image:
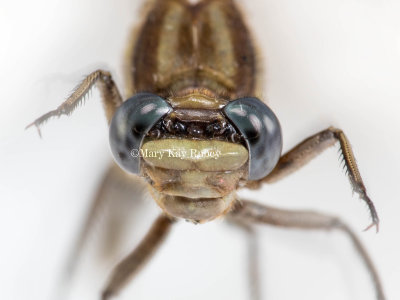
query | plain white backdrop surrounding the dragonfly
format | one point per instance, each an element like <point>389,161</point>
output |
<point>327,62</point>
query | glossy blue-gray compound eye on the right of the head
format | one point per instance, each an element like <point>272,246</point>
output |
<point>262,132</point>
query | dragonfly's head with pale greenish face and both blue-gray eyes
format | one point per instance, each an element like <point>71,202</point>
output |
<point>195,150</point>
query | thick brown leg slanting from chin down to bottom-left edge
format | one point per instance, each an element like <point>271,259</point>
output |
<point>129,266</point>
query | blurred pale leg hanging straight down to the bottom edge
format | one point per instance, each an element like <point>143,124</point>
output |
<point>253,256</point>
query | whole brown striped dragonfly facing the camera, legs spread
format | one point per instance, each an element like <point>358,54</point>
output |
<point>192,129</point>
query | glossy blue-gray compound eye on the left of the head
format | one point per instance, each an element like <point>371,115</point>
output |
<point>130,124</point>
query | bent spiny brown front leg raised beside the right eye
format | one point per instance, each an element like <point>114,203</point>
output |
<point>309,149</point>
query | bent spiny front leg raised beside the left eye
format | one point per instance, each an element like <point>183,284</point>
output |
<point>109,91</point>
